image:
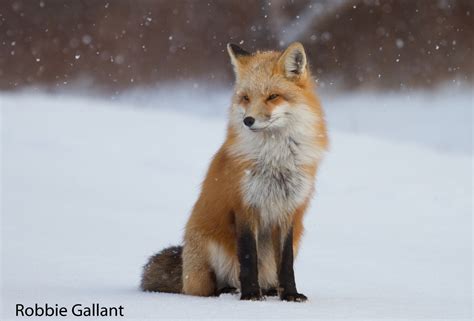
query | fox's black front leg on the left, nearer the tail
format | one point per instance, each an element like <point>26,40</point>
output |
<point>247,252</point>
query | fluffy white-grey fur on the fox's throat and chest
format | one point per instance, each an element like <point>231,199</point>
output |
<point>276,183</point>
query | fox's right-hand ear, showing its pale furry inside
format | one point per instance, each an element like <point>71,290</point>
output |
<point>293,61</point>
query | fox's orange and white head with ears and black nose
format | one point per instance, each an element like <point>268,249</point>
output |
<point>273,91</point>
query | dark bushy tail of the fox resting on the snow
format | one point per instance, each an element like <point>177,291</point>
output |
<point>163,272</point>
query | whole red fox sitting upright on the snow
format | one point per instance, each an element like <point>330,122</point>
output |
<point>245,228</point>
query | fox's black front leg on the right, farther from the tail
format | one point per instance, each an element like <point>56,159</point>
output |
<point>286,275</point>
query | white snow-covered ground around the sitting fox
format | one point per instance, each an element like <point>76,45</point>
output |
<point>91,188</point>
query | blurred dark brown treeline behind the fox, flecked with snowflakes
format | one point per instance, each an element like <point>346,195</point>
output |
<point>118,44</point>
